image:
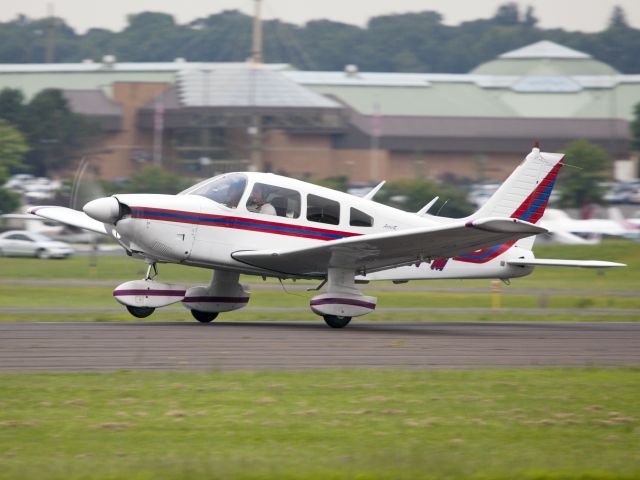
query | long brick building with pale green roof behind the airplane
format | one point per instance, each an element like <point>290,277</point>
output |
<point>206,118</point>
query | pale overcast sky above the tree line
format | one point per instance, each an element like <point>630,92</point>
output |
<point>82,14</point>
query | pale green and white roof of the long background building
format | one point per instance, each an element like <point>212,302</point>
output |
<point>567,84</point>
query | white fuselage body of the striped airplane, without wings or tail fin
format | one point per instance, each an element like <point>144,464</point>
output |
<point>193,230</point>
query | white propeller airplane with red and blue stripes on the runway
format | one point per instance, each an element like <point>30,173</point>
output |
<point>272,226</point>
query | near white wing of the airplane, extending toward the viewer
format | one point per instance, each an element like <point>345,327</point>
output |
<point>368,253</point>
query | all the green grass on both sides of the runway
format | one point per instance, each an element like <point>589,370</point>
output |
<point>331,424</point>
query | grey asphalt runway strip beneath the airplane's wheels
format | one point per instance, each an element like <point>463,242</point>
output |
<point>299,346</point>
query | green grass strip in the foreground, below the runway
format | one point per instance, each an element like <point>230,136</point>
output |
<point>545,423</point>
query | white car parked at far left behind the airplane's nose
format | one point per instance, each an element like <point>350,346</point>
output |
<point>30,244</point>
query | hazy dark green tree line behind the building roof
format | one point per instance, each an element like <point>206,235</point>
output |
<point>411,42</point>
